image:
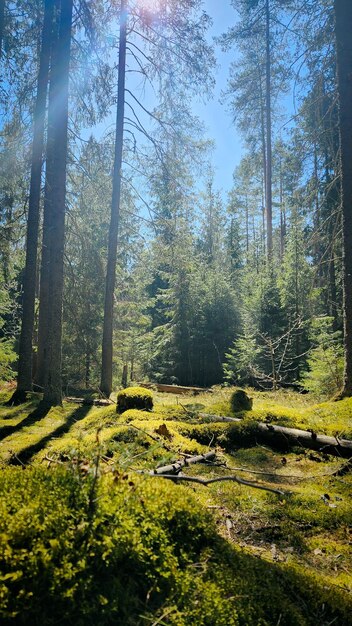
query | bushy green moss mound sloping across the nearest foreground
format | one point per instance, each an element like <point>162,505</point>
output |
<point>127,550</point>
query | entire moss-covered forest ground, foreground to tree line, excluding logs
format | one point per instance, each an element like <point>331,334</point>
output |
<point>242,555</point>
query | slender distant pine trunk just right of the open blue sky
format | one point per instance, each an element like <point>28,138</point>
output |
<point>268,182</point>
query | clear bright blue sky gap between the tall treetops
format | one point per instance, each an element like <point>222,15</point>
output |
<point>228,149</point>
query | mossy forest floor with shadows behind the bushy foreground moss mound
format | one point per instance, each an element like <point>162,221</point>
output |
<point>307,529</point>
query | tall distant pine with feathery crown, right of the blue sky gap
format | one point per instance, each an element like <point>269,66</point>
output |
<point>255,80</point>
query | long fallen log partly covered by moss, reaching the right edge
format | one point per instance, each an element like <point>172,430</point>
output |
<point>281,436</point>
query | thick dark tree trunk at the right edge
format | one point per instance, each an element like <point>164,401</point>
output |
<point>343,29</point>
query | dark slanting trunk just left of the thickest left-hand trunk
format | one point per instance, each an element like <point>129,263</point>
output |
<point>24,379</point>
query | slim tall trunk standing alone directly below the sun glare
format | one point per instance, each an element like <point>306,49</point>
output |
<point>106,370</point>
